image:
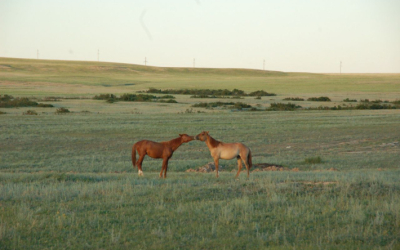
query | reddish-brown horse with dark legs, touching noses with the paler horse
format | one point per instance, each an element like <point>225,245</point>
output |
<point>157,150</point>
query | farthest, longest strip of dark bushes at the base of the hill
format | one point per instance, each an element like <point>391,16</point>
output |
<point>209,92</point>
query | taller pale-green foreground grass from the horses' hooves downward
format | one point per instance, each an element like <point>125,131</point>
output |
<point>196,211</point>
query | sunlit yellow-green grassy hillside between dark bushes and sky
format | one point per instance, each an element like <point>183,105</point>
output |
<point>66,78</point>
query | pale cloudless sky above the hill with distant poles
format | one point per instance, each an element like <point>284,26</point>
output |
<point>291,36</point>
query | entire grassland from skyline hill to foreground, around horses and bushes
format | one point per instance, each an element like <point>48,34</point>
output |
<point>67,181</point>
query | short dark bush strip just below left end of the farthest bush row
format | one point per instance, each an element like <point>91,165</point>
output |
<point>135,98</point>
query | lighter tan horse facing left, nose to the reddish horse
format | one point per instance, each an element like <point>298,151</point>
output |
<point>227,151</point>
